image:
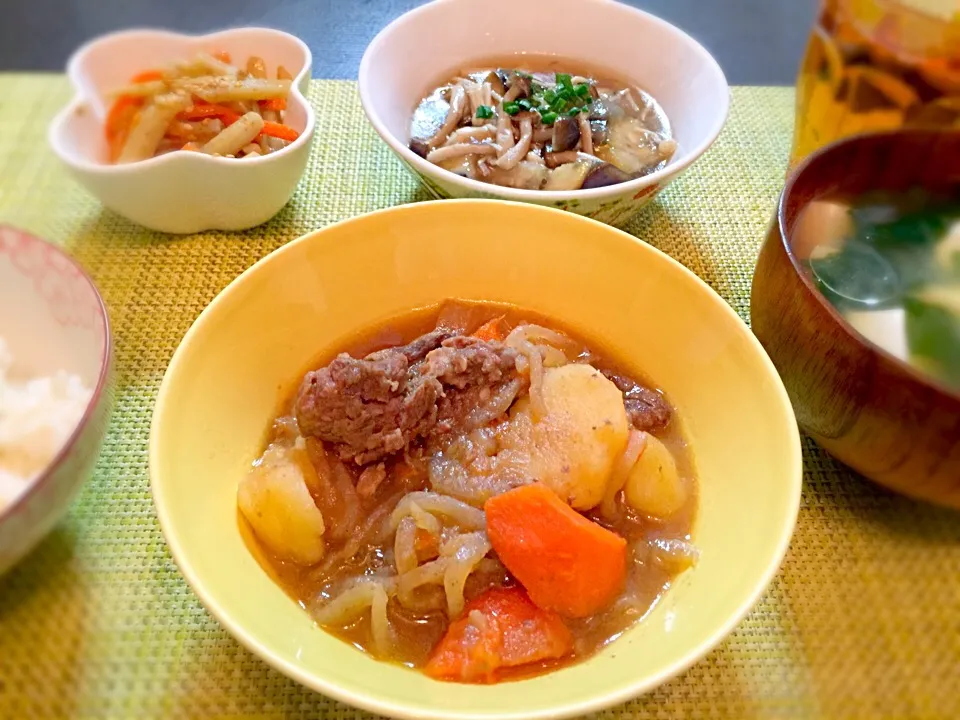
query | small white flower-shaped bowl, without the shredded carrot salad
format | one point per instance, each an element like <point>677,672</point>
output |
<point>181,192</point>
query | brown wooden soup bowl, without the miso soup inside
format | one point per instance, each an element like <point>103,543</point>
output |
<point>864,406</point>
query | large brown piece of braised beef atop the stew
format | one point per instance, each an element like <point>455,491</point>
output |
<point>370,408</point>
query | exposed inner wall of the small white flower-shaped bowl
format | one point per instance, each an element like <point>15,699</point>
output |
<point>108,63</point>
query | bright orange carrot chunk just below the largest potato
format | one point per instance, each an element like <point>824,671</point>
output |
<point>566,562</point>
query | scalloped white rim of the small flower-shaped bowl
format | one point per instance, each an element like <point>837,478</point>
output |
<point>75,62</point>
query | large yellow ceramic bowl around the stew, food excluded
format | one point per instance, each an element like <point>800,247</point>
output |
<point>245,352</point>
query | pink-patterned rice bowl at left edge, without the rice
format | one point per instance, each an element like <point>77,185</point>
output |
<point>60,322</point>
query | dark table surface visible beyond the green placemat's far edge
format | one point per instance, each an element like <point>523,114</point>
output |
<point>757,42</point>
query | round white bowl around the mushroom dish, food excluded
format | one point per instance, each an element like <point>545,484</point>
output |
<point>424,47</point>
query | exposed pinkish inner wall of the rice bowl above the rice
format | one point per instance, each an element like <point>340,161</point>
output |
<point>59,322</point>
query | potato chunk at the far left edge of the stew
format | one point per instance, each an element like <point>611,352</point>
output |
<point>275,500</point>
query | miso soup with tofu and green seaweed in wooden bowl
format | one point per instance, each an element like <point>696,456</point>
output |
<point>890,264</point>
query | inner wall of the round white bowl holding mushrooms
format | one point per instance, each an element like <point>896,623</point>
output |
<point>399,68</point>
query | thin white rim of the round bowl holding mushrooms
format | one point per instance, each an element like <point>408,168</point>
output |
<point>631,186</point>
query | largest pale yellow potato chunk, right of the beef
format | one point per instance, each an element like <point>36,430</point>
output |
<point>573,448</point>
